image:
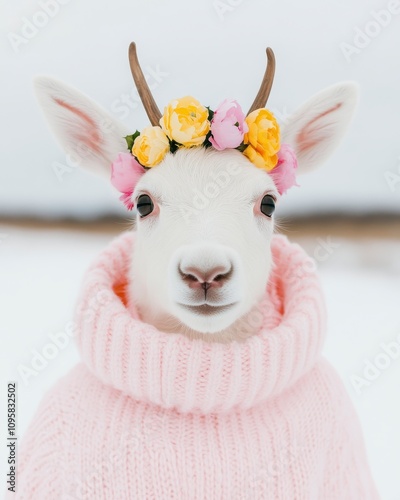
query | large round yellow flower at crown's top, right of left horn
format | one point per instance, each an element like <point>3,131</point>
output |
<point>185,121</point>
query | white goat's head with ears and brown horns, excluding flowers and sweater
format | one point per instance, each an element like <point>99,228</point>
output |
<point>202,256</point>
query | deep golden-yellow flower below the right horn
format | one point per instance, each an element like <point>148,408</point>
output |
<point>263,139</point>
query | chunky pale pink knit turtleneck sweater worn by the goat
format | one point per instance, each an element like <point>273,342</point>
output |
<point>151,415</point>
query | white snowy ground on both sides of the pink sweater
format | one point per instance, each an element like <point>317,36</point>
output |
<point>41,271</point>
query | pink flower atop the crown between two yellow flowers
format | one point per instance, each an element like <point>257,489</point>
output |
<point>228,126</point>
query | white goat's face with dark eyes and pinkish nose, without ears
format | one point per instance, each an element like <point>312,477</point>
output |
<point>202,249</point>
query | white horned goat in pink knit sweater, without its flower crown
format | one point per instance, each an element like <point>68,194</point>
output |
<point>199,405</point>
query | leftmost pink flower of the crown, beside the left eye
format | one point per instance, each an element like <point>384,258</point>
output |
<point>125,173</point>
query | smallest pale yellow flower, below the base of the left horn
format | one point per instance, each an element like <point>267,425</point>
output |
<point>150,146</point>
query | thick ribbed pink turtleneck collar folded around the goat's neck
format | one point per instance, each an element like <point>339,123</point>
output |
<point>172,371</point>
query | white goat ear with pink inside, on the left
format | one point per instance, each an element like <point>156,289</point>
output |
<point>84,129</point>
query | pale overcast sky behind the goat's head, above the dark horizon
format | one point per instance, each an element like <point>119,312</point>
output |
<point>211,52</point>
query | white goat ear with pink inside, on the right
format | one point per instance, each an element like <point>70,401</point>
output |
<point>317,127</point>
